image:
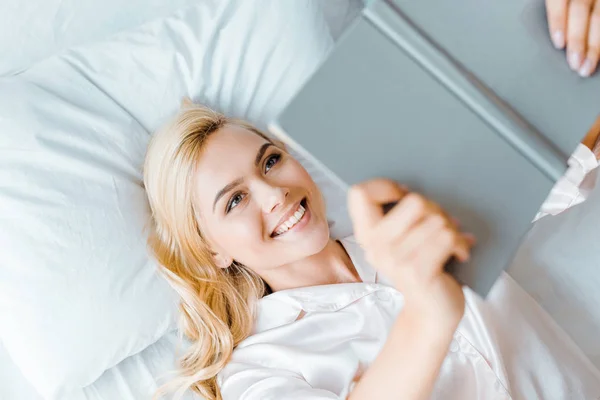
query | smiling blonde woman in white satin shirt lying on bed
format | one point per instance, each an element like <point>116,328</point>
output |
<point>276,309</point>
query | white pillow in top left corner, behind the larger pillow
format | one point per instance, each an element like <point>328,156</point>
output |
<point>33,30</point>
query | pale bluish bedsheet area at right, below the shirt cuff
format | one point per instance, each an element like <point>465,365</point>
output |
<point>558,264</point>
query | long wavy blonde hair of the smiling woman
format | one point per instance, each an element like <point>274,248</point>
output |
<point>217,305</point>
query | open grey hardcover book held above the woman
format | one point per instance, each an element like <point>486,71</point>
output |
<point>466,102</point>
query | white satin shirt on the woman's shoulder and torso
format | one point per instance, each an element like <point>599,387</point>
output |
<point>310,343</point>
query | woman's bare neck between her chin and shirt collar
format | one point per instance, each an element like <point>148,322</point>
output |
<point>331,265</point>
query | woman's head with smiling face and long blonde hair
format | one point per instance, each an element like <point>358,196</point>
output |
<point>251,199</point>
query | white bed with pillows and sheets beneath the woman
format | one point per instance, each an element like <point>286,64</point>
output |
<point>82,312</point>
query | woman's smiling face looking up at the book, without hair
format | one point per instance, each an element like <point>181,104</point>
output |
<point>257,204</point>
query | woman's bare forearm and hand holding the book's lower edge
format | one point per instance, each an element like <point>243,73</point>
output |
<point>410,245</point>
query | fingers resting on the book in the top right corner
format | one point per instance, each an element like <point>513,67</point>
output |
<point>575,24</point>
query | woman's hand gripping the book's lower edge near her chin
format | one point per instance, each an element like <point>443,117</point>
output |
<point>410,245</point>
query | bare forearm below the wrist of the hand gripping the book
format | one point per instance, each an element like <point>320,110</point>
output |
<point>410,360</point>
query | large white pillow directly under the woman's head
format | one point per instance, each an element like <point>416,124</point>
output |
<point>78,293</point>
